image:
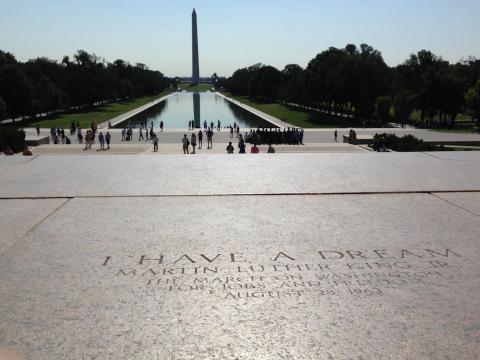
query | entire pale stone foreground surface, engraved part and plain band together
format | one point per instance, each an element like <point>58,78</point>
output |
<point>285,256</point>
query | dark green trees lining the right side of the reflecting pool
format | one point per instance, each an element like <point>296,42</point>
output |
<point>355,82</point>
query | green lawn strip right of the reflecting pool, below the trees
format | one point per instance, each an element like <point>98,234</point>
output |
<point>300,118</point>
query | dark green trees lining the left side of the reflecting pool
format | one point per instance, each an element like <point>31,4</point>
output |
<point>43,85</point>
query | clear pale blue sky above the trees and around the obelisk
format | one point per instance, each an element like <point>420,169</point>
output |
<point>235,34</point>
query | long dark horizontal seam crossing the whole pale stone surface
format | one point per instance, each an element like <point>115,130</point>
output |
<point>69,197</point>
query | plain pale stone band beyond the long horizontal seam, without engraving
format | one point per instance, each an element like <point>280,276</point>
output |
<point>142,175</point>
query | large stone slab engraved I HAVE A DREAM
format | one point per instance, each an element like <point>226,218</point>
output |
<point>385,276</point>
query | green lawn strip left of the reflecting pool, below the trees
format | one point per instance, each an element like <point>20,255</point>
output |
<point>98,114</point>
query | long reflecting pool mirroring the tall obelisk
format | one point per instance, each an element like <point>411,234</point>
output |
<point>180,108</point>
